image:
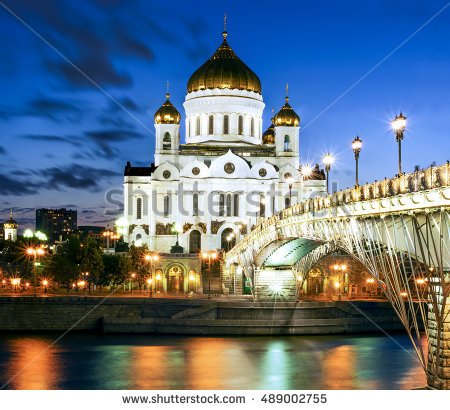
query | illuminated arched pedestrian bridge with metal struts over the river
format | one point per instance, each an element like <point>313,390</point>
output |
<point>398,228</point>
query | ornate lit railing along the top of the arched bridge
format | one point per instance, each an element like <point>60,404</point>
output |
<point>417,181</point>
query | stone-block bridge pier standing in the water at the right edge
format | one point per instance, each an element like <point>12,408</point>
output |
<point>438,367</point>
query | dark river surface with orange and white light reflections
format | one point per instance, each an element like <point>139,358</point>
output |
<point>80,361</point>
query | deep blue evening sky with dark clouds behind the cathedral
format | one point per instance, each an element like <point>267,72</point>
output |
<point>80,82</point>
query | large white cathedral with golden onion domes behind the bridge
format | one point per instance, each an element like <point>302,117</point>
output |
<point>228,175</point>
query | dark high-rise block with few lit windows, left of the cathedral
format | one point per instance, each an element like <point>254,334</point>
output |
<point>57,224</point>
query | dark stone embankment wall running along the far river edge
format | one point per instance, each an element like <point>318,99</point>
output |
<point>194,316</point>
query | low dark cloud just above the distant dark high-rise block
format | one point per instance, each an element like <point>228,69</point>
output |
<point>76,176</point>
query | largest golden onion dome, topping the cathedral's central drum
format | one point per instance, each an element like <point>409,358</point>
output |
<point>224,70</point>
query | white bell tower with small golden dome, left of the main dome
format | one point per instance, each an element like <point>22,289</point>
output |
<point>167,127</point>
